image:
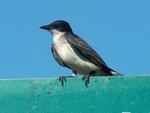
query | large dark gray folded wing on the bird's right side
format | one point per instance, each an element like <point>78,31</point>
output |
<point>85,50</point>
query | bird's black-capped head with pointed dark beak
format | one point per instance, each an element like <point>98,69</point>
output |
<point>58,26</point>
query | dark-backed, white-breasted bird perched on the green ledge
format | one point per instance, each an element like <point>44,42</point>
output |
<point>71,51</point>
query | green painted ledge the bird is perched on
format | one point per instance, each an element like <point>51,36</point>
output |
<point>105,95</point>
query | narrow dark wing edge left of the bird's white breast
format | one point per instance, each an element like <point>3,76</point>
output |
<point>56,56</point>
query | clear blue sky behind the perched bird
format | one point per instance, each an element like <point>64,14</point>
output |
<point>119,30</point>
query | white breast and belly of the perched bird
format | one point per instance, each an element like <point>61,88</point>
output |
<point>70,58</point>
